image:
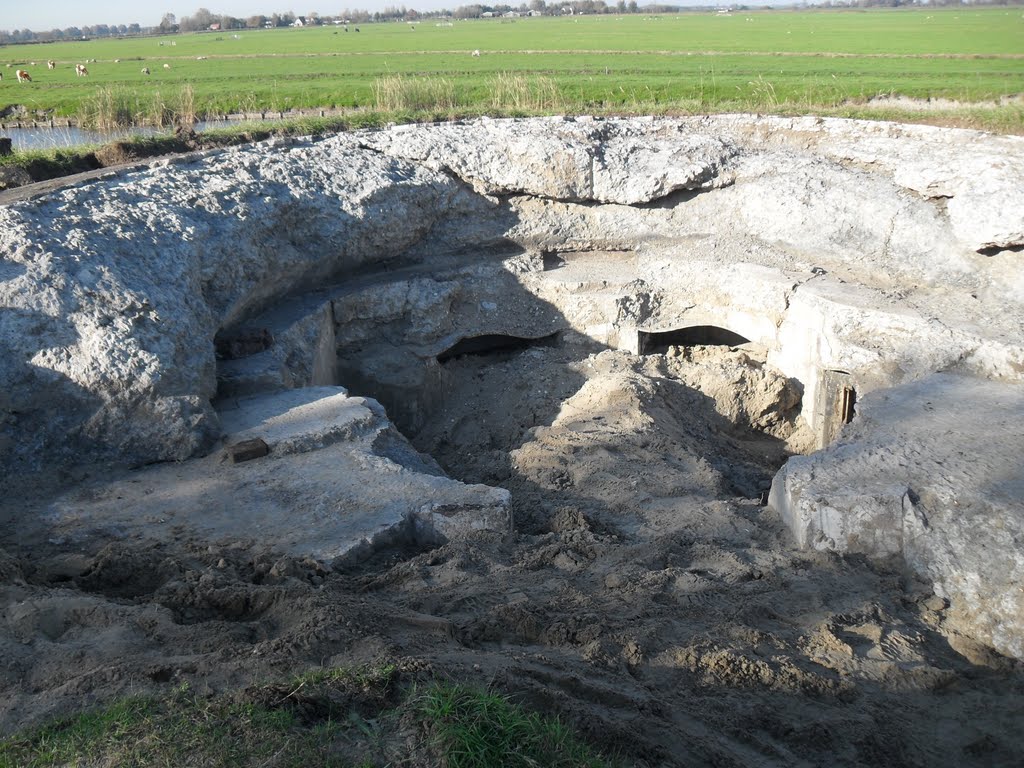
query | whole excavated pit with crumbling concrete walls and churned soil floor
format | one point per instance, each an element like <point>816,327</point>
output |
<point>520,393</point>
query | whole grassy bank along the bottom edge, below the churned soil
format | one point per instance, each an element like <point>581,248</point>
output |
<point>328,717</point>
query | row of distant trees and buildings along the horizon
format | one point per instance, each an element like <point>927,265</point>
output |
<point>204,19</point>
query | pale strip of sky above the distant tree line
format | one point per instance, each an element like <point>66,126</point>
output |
<point>48,15</point>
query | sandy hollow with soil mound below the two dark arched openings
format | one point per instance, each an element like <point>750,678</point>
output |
<point>499,408</point>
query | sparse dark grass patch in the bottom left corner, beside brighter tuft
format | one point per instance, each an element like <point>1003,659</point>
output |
<point>300,724</point>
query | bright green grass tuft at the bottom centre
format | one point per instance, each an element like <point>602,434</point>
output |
<point>474,729</point>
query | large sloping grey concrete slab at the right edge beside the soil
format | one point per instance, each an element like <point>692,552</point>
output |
<point>930,474</point>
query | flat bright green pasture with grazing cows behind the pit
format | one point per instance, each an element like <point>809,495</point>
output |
<point>765,61</point>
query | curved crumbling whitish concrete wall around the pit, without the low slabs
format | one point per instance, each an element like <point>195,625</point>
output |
<point>113,291</point>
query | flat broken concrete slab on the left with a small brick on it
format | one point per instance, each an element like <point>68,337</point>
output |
<point>337,484</point>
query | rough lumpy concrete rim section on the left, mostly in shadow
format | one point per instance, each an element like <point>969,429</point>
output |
<point>112,292</point>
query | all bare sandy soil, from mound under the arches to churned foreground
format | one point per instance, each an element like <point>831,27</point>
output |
<point>646,594</point>
